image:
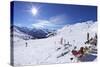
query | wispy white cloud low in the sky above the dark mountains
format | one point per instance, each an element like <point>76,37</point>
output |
<point>52,22</point>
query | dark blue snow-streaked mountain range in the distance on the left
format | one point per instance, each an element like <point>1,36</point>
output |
<point>30,33</point>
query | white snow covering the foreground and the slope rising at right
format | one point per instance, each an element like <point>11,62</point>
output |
<point>44,51</point>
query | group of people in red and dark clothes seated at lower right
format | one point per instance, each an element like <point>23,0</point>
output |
<point>85,50</point>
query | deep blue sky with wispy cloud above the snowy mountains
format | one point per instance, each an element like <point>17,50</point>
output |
<point>51,16</point>
